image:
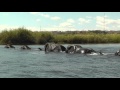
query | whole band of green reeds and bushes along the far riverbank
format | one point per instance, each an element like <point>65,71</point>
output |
<point>25,36</point>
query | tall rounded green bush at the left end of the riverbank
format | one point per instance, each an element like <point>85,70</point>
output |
<point>16,36</point>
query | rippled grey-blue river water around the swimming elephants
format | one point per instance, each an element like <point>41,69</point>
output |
<point>16,63</point>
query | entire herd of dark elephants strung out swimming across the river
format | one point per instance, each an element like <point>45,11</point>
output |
<point>70,49</point>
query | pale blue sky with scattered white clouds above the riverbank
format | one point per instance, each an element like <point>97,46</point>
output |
<point>60,21</point>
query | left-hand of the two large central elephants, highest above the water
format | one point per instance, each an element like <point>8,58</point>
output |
<point>52,47</point>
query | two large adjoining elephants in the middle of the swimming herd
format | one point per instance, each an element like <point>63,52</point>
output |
<point>52,47</point>
